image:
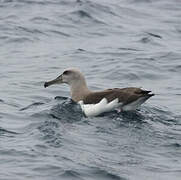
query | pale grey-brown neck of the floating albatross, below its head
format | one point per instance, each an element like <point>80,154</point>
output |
<point>79,90</point>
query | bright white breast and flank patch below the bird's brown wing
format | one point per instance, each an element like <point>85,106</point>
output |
<point>101,107</point>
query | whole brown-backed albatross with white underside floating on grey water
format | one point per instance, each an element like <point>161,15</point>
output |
<point>94,103</point>
